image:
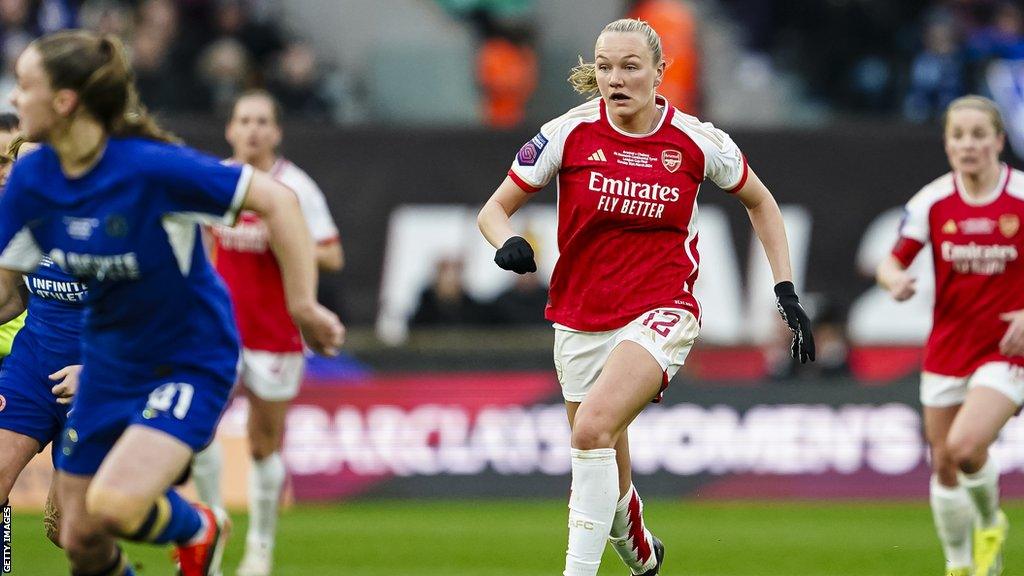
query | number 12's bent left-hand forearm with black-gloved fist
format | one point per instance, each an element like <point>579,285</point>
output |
<point>514,254</point>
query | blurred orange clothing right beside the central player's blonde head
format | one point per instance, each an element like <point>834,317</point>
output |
<point>674,22</point>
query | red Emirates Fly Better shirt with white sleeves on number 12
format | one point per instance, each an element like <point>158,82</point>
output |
<point>627,211</point>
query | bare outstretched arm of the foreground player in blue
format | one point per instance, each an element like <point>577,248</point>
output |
<point>293,246</point>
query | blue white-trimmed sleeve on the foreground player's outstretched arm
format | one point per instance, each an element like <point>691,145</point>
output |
<point>200,185</point>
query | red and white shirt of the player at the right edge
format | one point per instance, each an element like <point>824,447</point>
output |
<point>976,248</point>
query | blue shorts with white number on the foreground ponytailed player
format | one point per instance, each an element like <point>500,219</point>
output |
<point>186,403</point>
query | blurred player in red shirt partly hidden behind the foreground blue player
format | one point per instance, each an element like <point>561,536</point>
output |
<point>273,361</point>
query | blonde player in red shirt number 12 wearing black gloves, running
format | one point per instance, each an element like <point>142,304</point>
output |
<point>628,168</point>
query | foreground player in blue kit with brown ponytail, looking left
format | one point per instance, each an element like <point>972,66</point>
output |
<point>112,202</point>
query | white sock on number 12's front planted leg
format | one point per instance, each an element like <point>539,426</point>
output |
<point>592,508</point>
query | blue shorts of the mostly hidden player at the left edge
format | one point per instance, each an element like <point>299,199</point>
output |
<point>27,405</point>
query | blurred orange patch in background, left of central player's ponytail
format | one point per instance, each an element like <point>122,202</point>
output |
<point>507,73</point>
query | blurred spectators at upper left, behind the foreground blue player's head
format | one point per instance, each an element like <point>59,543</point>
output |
<point>189,55</point>
